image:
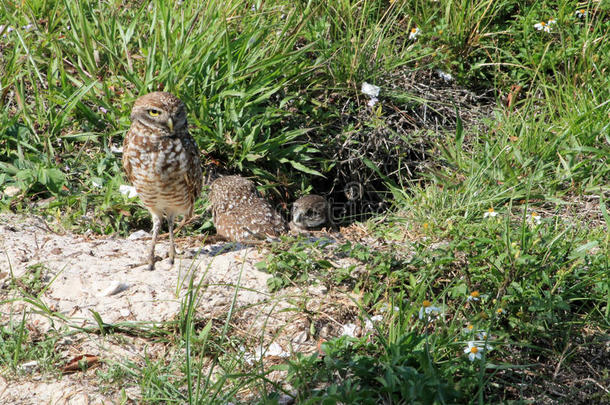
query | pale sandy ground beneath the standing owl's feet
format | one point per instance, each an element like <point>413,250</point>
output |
<point>87,275</point>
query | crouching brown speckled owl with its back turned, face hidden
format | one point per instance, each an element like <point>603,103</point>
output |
<point>240,213</point>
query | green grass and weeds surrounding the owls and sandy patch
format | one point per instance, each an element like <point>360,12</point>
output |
<point>273,91</point>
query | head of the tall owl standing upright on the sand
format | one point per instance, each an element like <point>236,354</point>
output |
<point>160,111</point>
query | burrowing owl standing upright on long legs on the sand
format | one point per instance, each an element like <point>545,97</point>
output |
<point>161,160</point>
